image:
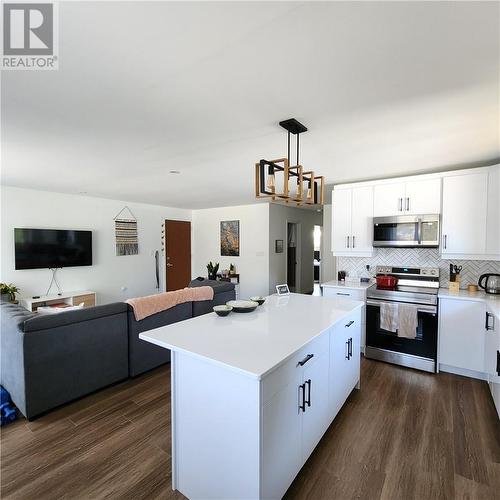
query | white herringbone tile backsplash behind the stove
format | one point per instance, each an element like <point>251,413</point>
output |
<point>417,257</point>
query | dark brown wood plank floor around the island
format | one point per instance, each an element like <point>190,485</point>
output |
<point>404,435</point>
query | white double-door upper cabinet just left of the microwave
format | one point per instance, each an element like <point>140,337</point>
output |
<point>352,221</point>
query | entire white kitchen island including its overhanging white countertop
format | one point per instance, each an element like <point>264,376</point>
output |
<point>252,394</point>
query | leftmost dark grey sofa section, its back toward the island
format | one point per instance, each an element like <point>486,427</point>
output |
<point>50,360</point>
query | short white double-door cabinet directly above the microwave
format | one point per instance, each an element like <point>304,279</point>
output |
<point>413,197</point>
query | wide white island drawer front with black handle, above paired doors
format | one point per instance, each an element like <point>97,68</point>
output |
<point>291,370</point>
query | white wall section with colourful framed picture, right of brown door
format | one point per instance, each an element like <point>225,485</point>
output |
<point>253,262</point>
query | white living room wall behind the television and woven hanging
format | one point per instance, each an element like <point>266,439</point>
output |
<point>41,209</point>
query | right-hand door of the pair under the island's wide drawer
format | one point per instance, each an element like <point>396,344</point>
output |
<point>316,417</point>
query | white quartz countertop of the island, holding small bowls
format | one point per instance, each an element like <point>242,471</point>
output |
<point>254,343</point>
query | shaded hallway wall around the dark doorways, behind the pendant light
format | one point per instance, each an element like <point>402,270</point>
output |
<point>279,215</point>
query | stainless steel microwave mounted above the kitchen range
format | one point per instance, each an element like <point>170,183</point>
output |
<point>406,231</point>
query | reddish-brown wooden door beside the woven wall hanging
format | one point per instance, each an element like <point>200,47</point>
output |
<point>178,254</point>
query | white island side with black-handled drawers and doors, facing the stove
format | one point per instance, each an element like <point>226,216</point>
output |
<point>298,402</point>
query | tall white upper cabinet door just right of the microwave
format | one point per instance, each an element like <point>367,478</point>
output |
<point>464,214</point>
